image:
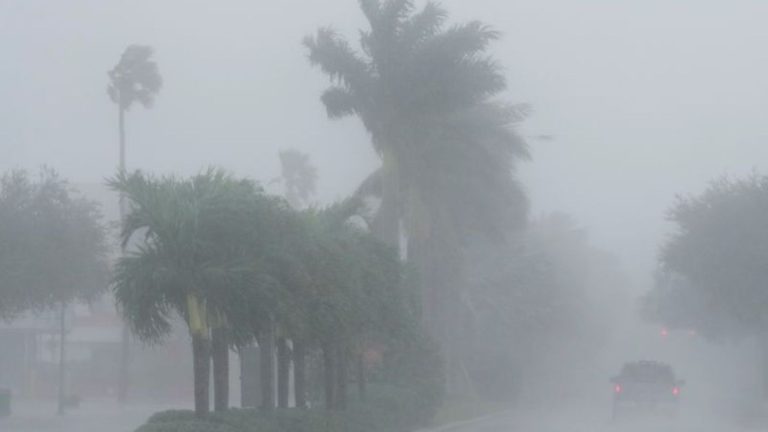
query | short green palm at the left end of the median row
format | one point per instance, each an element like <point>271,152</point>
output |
<point>197,259</point>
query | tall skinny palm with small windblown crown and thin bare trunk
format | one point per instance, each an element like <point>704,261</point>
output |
<point>134,79</point>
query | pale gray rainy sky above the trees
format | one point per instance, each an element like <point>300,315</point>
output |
<point>646,98</point>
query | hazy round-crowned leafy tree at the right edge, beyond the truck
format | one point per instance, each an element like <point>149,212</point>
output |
<point>713,273</point>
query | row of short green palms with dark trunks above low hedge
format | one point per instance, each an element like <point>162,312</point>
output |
<point>239,265</point>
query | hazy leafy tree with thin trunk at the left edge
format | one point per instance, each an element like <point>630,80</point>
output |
<point>54,250</point>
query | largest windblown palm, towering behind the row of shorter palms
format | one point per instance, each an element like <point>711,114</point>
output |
<point>425,93</point>
